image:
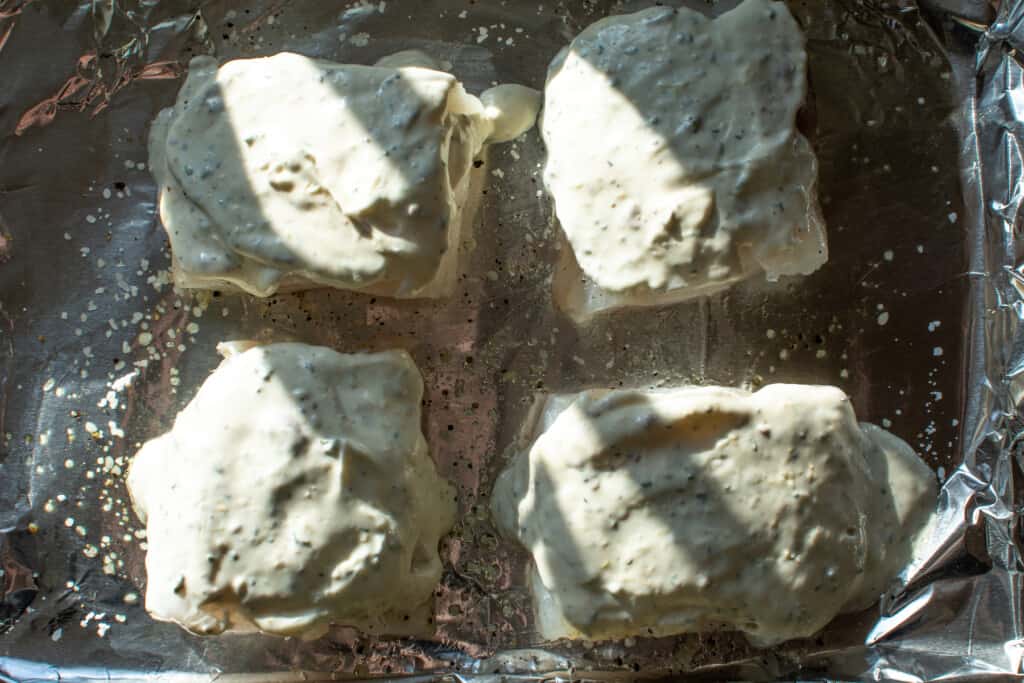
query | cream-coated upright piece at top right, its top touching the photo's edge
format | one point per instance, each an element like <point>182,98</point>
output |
<point>674,159</point>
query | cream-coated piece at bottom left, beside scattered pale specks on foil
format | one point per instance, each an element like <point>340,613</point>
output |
<point>294,491</point>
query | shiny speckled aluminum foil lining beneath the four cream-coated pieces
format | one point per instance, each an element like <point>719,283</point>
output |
<point>916,116</point>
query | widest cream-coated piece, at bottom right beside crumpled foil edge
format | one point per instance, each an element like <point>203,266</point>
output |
<point>694,509</point>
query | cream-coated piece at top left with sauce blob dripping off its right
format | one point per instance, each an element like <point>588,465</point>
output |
<point>292,173</point>
